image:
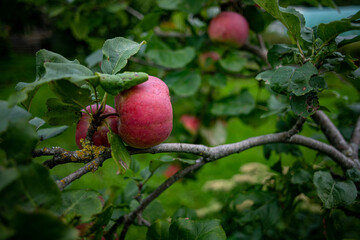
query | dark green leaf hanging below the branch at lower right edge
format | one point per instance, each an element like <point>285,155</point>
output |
<point>334,193</point>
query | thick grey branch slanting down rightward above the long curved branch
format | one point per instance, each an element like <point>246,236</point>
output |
<point>332,133</point>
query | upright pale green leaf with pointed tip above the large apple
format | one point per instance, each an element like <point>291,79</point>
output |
<point>116,52</point>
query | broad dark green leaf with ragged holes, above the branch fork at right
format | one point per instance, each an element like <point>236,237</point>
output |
<point>288,79</point>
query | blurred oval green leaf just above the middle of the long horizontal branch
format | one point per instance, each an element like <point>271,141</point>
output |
<point>242,103</point>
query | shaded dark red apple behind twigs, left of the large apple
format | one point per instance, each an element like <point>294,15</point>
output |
<point>100,136</point>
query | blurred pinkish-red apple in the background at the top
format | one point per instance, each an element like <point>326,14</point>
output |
<point>230,28</point>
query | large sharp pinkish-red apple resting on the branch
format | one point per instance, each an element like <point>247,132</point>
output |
<point>146,117</point>
